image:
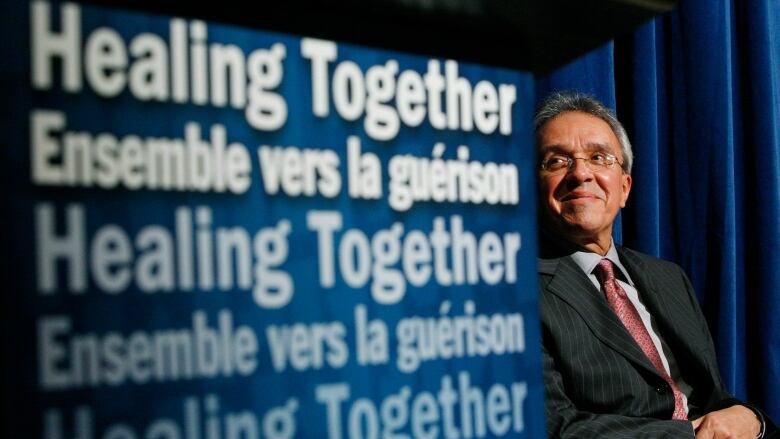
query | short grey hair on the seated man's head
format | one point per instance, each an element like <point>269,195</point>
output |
<point>561,102</point>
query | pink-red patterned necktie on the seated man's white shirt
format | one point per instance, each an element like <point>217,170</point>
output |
<point>625,310</point>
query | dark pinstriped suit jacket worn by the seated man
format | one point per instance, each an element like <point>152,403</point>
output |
<point>598,381</point>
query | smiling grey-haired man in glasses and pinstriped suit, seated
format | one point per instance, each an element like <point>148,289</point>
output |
<point>626,349</point>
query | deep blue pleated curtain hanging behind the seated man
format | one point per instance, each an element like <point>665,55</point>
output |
<point>699,92</point>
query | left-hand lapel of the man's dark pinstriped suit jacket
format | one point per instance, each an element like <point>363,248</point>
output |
<point>572,285</point>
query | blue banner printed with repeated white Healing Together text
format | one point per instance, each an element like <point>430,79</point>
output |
<point>223,233</point>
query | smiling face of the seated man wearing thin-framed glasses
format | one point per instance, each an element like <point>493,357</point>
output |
<point>581,203</point>
